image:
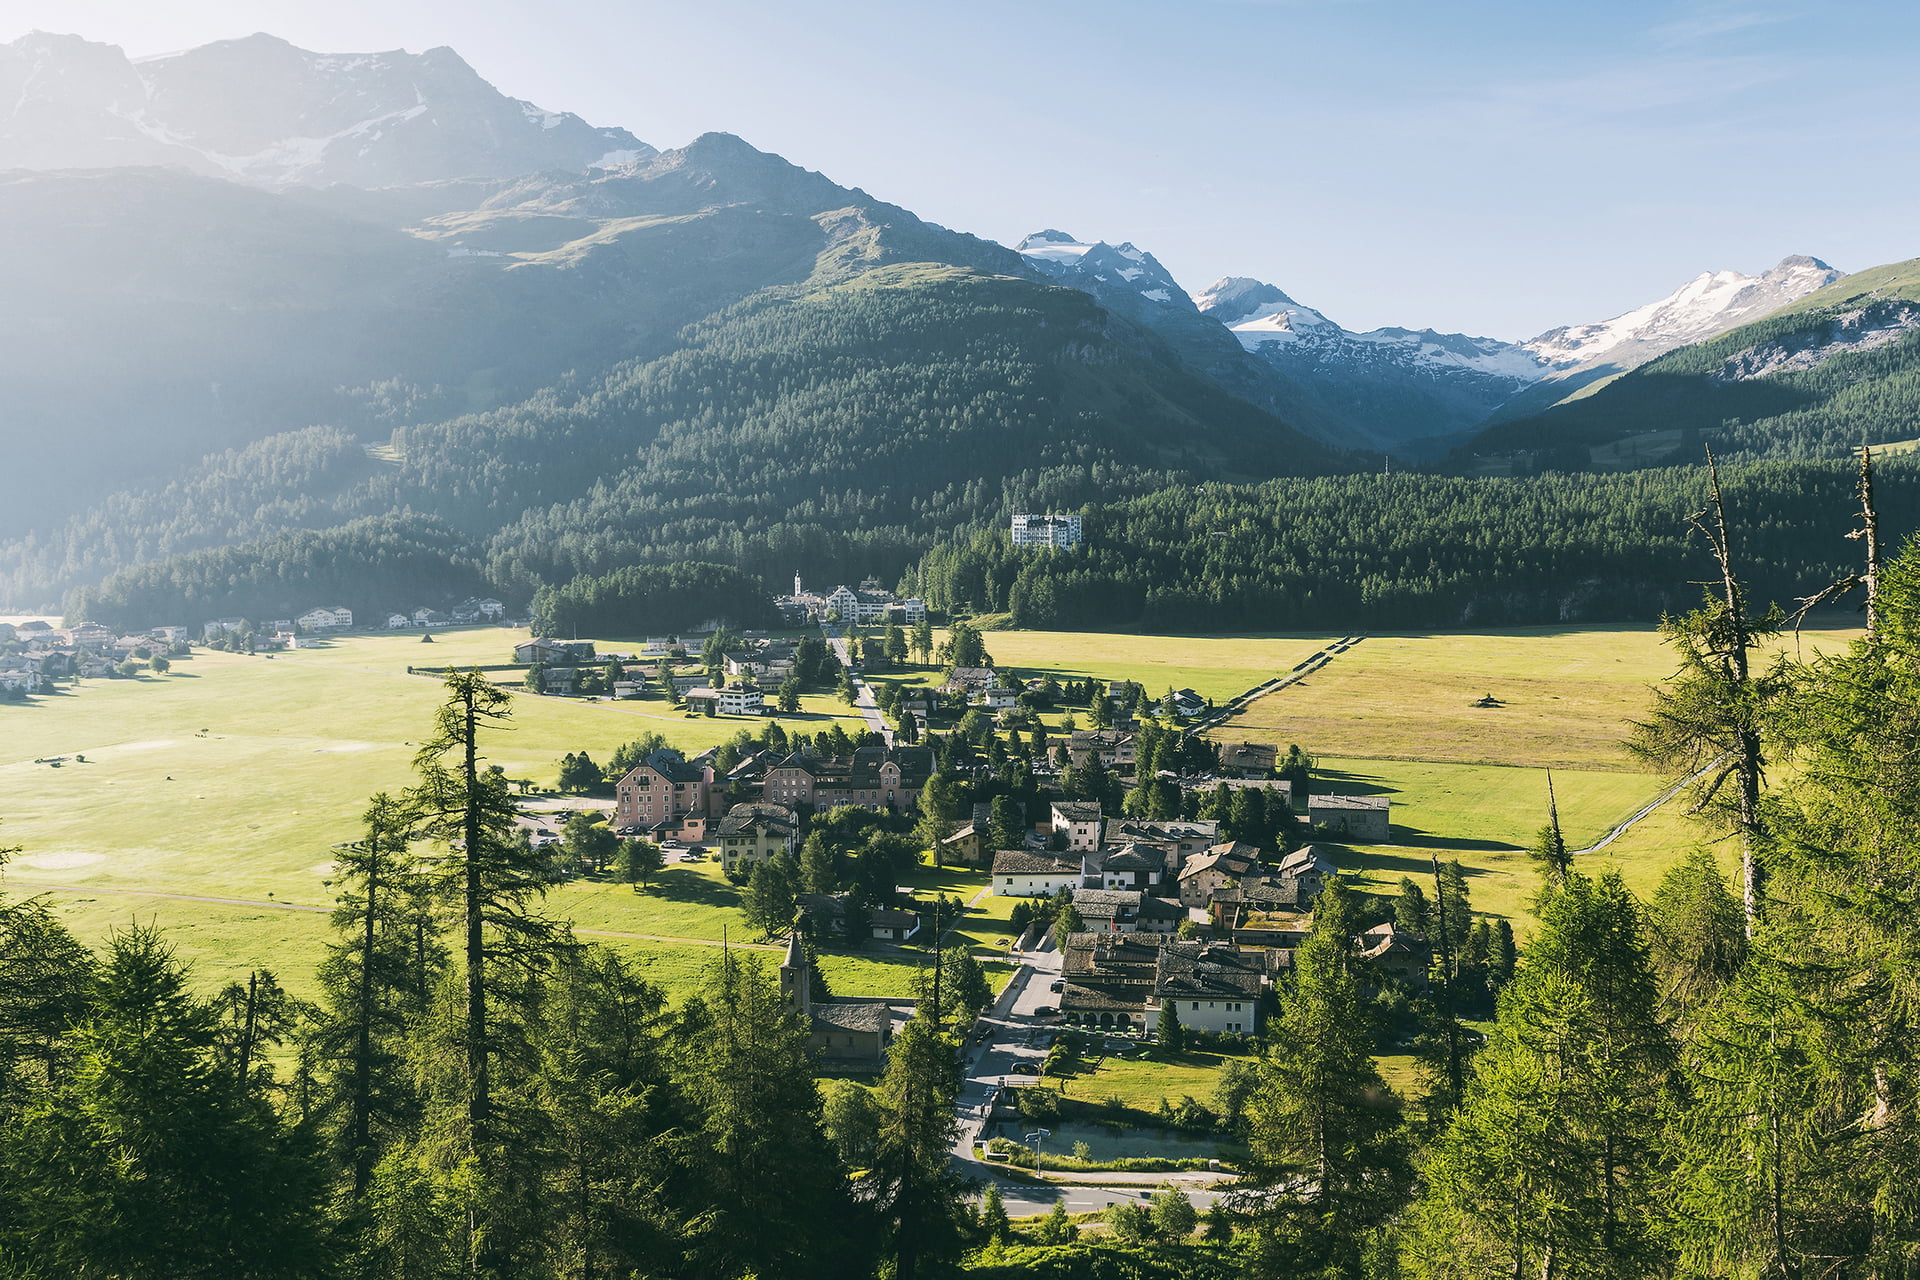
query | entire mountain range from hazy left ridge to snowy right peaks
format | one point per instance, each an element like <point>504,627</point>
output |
<point>279,293</point>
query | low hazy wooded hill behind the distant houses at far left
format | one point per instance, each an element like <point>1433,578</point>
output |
<point>370,567</point>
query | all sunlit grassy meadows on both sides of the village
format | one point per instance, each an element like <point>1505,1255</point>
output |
<point>235,776</point>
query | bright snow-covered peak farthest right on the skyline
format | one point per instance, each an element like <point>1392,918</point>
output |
<point>1706,306</point>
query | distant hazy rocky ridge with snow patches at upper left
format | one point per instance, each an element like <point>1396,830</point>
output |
<point>264,112</point>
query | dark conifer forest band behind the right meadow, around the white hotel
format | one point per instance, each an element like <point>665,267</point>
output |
<point>1416,550</point>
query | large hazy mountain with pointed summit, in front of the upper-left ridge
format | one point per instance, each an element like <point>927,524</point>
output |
<point>706,352</point>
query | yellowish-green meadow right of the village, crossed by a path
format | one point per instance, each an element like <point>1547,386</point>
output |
<point>1397,717</point>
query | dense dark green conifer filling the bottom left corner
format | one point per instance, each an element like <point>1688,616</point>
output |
<point>147,1160</point>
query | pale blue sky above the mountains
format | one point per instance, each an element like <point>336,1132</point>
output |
<point>1472,166</point>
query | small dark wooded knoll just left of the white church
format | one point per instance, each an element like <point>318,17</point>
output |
<point>654,598</point>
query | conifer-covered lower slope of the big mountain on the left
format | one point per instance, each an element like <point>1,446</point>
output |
<point>832,431</point>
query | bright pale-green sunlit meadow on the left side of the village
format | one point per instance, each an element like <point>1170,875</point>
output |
<point>235,776</point>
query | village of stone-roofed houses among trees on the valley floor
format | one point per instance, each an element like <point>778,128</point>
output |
<point>1182,886</point>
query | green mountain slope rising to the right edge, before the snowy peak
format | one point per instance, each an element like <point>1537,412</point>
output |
<point>1815,379</point>
